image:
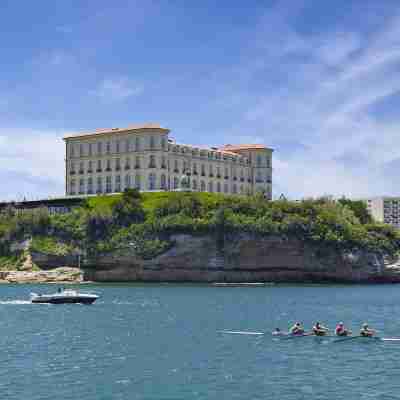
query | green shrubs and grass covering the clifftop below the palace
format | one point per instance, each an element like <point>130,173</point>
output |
<point>145,222</point>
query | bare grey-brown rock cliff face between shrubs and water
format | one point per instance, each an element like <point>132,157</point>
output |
<point>242,258</point>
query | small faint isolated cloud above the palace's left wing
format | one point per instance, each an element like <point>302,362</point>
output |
<point>117,89</point>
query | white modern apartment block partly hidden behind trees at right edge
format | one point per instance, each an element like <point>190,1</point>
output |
<point>385,209</point>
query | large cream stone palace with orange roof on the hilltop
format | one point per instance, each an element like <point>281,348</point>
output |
<point>146,158</point>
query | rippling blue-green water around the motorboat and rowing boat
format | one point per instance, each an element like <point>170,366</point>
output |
<point>163,342</point>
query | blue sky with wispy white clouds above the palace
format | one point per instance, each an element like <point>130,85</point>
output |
<point>317,81</point>
